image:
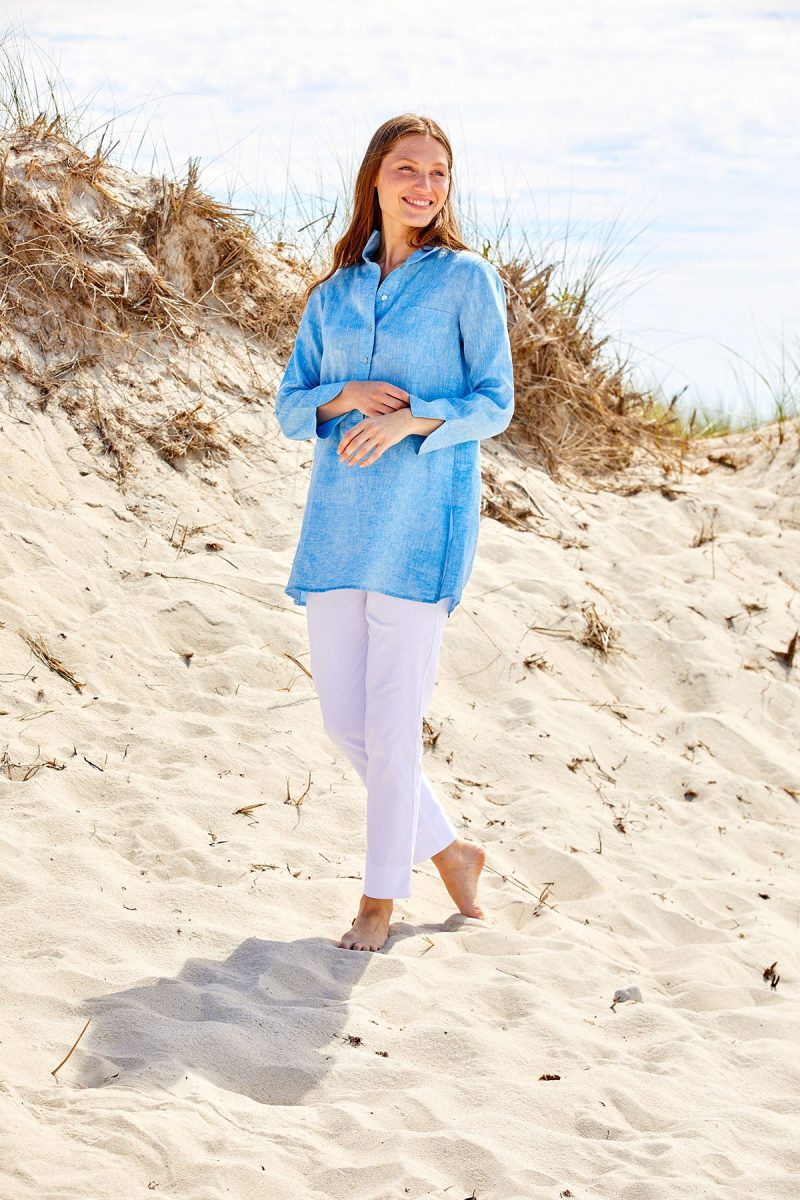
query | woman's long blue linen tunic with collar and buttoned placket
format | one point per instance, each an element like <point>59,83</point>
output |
<point>408,524</point>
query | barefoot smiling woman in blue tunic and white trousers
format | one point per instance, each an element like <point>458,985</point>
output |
<point>402,353</point>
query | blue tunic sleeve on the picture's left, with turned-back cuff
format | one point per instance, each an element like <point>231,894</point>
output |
<point>300,393</point>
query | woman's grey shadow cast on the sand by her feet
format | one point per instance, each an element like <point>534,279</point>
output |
<point>256,1024</point>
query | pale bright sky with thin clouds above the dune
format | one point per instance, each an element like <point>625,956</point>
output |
<point>660,142</point>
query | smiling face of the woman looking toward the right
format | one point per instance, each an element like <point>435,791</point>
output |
<point>416,170</point>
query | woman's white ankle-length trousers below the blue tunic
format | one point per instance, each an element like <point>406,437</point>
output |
<point>374,659</point>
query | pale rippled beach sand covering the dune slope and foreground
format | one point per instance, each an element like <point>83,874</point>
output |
<point>639,807</point>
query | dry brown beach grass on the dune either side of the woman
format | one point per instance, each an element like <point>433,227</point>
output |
<point>98,263</point>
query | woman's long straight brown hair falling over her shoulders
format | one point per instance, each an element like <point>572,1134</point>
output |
<point>443,231</point>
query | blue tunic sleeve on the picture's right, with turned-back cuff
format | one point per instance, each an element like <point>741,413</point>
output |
<point>489,407</point>
